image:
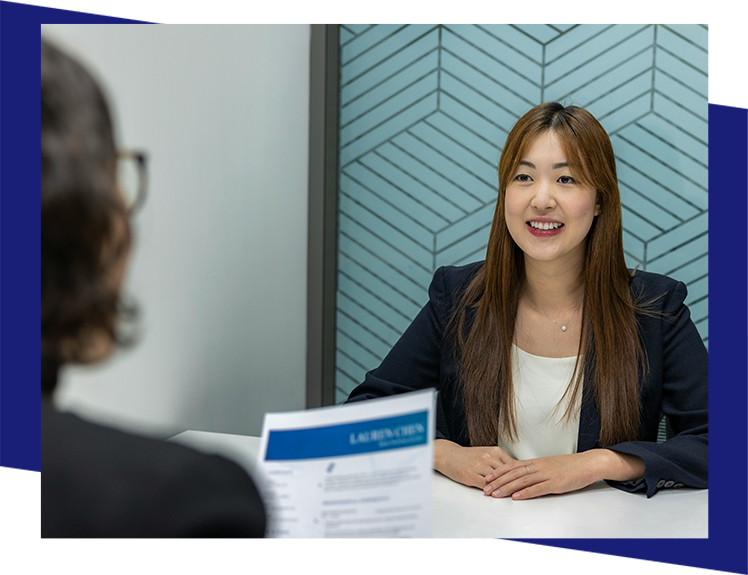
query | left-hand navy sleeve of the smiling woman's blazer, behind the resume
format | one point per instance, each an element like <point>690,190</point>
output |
<point>413,363</point>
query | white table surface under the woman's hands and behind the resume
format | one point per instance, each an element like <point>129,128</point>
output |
<point>464,515</point>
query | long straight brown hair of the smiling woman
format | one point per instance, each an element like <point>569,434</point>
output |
<point>611,356</point>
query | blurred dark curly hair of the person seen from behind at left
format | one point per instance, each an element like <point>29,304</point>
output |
<point>82,215</point>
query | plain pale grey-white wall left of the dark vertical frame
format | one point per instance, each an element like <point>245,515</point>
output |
<point>219,265</point>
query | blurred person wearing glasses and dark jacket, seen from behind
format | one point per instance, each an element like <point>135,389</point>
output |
<point>98,484</point>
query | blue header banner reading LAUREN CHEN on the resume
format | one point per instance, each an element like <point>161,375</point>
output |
<point>349,438</point>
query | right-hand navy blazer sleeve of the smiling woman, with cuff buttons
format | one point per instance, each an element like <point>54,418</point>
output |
<point>678,386</point>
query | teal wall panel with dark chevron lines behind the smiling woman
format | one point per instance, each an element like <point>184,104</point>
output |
<point>424,111</point>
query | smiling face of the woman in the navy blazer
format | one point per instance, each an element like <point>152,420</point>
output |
<point>547,211</point>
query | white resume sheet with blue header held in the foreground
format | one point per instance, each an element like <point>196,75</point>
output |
<point>356,471</point>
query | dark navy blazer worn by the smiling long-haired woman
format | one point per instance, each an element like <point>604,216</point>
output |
<point>675,385</point>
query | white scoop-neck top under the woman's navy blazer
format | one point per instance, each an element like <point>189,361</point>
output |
<point>539,385</point>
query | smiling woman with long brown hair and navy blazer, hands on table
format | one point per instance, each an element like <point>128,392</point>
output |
<point>553,361</point>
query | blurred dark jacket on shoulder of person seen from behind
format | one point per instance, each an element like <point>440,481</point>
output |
<point>99,483</point>
